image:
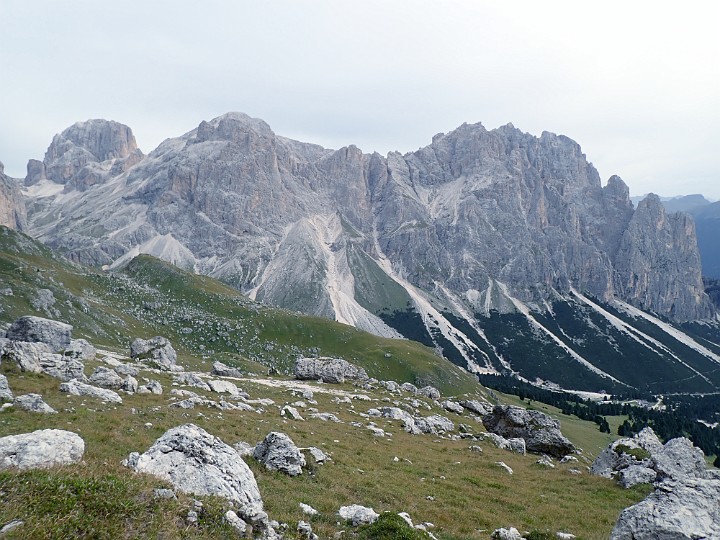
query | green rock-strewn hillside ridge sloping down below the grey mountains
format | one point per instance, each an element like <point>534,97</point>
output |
<point>201,316</point>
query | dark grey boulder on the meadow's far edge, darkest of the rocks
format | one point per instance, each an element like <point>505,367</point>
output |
<point>541,433</point>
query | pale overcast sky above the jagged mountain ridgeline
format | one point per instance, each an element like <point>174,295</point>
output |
<point>636,83</point>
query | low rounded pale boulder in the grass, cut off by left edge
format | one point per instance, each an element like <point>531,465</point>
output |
<point>40,449</point>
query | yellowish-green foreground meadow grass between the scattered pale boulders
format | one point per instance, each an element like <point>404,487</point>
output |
<point>472,495</point>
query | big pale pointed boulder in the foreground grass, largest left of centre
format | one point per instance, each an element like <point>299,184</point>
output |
<point>196,462</point>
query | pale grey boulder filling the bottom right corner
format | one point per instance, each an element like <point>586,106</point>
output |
<point>675,511</point>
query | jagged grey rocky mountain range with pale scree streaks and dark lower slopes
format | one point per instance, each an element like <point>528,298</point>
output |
<point>501,250</point>
